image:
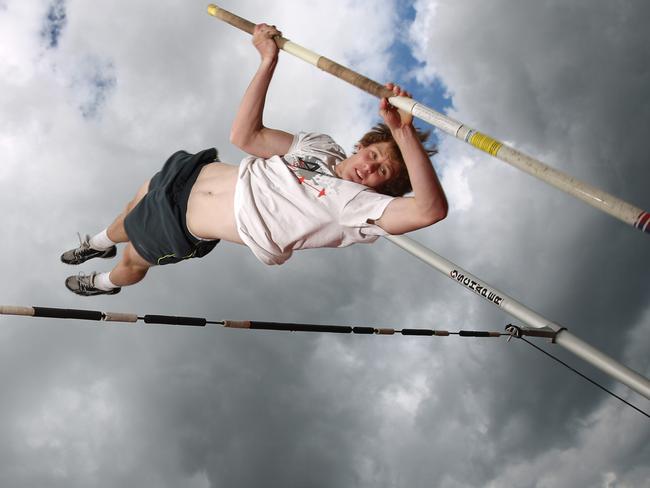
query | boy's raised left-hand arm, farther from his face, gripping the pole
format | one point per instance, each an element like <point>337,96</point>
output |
<point>248,132</point>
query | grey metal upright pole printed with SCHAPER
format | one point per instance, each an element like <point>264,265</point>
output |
<point>563,337</point>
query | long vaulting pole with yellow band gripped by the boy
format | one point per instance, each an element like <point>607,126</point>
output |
<point>599,199</point>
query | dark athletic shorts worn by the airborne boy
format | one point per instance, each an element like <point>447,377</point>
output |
<point>157,225</point>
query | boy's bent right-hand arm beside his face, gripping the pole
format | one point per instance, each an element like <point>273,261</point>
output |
<point>429,204</point>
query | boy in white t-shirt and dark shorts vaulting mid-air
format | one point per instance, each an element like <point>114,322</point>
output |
<point>293,192</point>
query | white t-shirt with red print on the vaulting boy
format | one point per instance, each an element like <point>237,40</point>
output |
<point>296,201</point>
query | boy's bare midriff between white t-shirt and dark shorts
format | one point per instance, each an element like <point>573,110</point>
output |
<point>210,208</point>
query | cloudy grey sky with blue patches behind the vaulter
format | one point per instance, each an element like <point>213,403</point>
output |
<point>95,97</point>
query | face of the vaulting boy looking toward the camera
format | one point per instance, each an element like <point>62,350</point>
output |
<point>370,166</point>
